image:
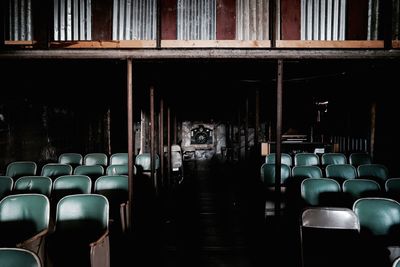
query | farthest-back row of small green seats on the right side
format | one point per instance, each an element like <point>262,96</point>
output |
<point>312,159</point>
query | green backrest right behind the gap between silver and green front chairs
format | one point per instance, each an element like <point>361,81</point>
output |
<point>359,188</point>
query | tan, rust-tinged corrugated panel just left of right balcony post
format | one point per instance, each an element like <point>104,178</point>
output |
<point>252,20</point>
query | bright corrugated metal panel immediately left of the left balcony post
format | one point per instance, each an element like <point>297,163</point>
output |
<point>134,19</point>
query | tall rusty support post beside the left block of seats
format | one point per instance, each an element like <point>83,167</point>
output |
<point>131,141</point>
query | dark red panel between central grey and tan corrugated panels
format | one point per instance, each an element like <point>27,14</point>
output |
<point>226,19</point>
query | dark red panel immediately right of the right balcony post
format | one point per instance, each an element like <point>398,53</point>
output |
<point>291,12</point>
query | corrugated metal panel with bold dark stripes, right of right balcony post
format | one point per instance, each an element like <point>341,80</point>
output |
<point>323,19</point>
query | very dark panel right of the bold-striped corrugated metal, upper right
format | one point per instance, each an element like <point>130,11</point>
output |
<point>357,20</point>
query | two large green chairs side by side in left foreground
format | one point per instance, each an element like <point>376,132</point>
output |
<point>80,235</point>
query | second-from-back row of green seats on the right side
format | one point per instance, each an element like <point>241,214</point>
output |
<point>340,172</point>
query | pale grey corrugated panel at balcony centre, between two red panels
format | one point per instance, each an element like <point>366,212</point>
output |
<point>196,19</point>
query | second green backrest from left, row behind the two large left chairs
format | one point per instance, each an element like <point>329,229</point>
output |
<point>33,184</point>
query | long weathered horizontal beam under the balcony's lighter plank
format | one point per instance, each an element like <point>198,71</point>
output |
<point>231,54</point>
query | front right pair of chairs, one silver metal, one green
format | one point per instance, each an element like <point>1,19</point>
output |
<point>364,235</point>
